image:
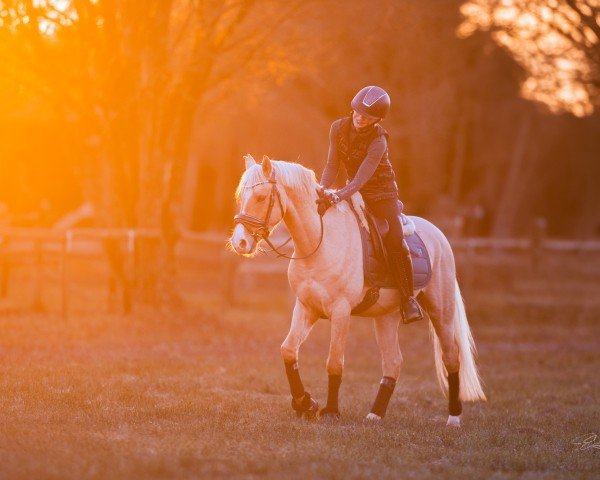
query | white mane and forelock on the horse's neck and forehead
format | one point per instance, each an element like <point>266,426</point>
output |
<point>288,174</point>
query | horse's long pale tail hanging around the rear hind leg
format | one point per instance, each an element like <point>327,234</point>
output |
<point>470,384</point>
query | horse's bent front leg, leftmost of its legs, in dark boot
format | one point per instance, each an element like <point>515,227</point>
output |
<point>303,320</point>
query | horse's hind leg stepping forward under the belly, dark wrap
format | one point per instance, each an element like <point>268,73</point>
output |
<point>386,333</point>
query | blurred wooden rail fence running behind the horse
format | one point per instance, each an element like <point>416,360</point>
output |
<point>33,242</point>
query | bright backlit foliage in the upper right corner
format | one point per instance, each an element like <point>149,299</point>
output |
<point>557,43</point>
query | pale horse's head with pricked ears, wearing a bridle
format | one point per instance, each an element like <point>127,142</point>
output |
<point>262,206</point>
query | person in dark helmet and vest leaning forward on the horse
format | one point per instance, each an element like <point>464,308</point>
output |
<point>361,145</point>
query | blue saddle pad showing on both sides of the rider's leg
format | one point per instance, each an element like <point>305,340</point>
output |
<point>376,271</point>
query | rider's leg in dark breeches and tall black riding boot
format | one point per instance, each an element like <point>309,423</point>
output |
<point>399,257</point>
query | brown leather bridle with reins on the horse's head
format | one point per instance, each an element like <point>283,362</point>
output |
<point>259,229</point>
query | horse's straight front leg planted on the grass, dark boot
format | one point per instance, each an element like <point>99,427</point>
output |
<point>340,324</point>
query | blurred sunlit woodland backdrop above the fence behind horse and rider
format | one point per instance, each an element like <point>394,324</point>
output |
<point>143,109</point>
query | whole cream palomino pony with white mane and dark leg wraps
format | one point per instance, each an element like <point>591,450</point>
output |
<point>326,275</point>
